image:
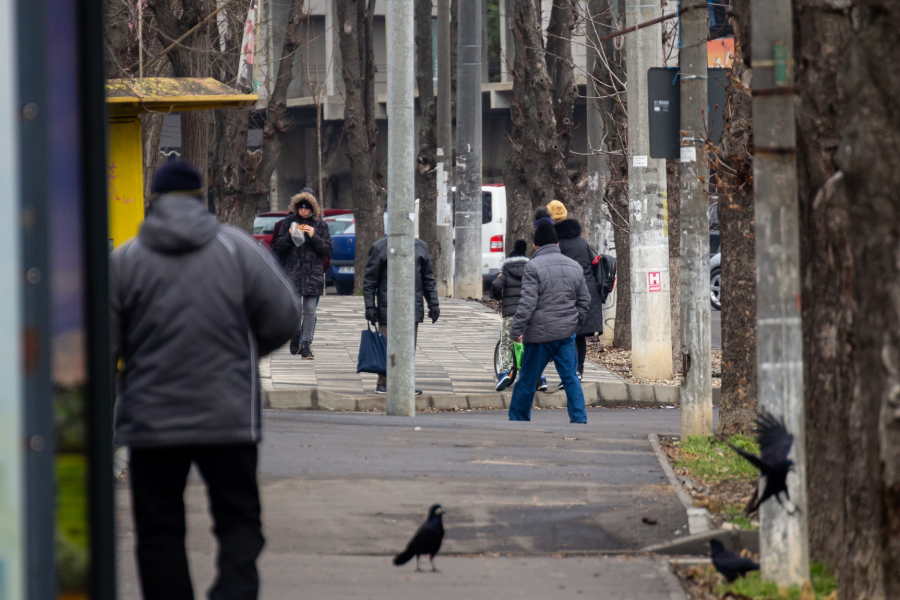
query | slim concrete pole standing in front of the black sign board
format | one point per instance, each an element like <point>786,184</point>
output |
<point>696,391</point>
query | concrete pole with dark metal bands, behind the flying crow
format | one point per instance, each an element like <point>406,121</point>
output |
<point>784,552</point>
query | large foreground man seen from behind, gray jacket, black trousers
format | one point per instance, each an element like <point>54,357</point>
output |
<point>194,304</point>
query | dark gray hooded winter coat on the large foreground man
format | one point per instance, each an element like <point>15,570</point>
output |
<point>194,304</point>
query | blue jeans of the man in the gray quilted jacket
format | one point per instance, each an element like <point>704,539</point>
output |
<point>534,361</point>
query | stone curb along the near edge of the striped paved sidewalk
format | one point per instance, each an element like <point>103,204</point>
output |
<point>596,395</point>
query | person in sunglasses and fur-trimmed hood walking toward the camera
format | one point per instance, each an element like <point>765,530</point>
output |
<point>303,241</point>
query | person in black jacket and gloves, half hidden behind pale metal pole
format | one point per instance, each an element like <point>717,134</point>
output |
<point>375,291</point>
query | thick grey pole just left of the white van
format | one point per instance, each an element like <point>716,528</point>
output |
<point>467,276</point>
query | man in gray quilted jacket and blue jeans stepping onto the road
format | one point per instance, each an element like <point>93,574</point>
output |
<point>554,304</point>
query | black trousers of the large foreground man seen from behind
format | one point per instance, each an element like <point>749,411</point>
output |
<point>158,478</point>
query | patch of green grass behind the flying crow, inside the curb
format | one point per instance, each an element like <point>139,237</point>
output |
<point>713,461</point>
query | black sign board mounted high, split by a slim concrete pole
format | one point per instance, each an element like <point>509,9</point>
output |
<point>665,109</point>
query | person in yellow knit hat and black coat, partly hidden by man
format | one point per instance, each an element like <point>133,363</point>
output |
<point>574,246</point>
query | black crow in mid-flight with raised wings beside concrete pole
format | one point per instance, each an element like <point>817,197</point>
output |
<point>773,463</point>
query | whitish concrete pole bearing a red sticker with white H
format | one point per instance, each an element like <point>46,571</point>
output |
<point>651,327</point>
